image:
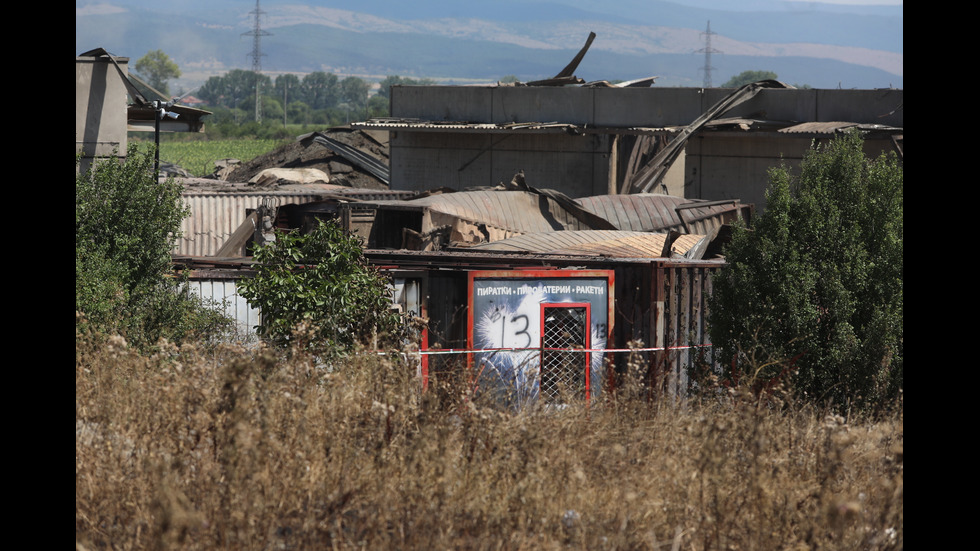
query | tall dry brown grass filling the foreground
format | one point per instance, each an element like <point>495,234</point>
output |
<point>233,449</point>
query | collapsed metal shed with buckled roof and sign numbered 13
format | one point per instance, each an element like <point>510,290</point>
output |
<point>526,294</point>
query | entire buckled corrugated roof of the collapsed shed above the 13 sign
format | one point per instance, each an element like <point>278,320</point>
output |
<point>532,220</point>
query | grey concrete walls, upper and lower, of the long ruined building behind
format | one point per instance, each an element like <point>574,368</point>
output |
<point>717,165</point>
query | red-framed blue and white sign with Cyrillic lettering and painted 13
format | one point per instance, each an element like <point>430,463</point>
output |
<point>540,334</point>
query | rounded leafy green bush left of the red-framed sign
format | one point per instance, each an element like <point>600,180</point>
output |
<point>320,280</point>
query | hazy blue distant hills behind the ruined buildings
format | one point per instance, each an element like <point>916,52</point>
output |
<point>456,41</point>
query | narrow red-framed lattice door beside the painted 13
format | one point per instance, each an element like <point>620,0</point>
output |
<point>564,373</point>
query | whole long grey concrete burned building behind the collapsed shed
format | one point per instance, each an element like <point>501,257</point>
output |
<point>585,140</point>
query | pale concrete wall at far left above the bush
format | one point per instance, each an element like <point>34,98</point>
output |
<point>100,109</point>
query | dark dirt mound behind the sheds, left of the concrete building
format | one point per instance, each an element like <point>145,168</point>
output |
<point>309,154</point>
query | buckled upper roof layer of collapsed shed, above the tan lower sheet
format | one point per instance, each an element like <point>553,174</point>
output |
<point>461,219</point>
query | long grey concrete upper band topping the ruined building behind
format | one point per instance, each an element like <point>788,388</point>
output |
<point>626,107</point>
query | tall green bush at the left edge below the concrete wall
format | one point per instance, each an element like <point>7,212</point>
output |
<point>126,224</point>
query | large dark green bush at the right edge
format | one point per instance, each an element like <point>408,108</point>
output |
<point>816,290</point>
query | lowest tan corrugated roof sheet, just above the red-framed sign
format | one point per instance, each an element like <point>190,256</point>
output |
<point>610,243</point>
